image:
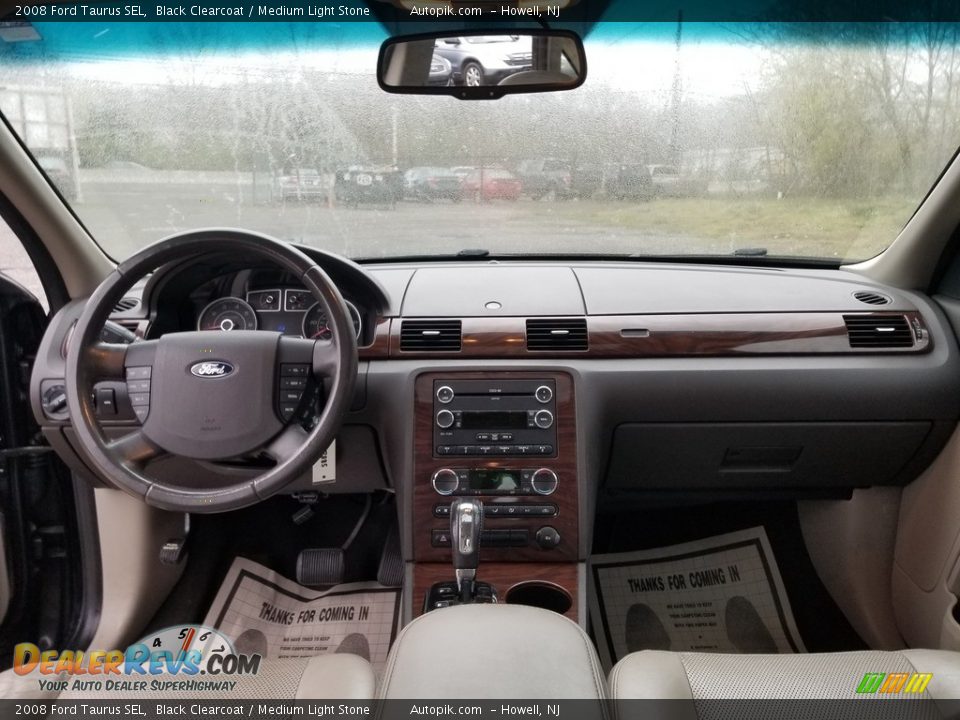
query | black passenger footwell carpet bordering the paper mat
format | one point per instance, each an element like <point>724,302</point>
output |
<point>819,621</point>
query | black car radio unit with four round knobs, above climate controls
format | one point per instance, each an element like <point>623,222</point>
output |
<point>494,418</point>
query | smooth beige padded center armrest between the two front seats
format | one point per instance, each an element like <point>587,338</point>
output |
<point>493,651</point>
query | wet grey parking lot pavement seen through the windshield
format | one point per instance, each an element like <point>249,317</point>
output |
<point>126,217</point>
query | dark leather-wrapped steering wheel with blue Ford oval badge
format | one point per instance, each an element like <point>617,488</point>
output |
<point>211,395</point>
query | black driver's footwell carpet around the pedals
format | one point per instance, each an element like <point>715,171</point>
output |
<point>267,534</point>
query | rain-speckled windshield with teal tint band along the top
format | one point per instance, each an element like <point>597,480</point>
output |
<point>685,139</point>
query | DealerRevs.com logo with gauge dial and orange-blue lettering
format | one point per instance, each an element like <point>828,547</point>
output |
<point>178,658</point>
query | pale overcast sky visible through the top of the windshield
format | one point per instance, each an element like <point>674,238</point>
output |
<point>631,56</point>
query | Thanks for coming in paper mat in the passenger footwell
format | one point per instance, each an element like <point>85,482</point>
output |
<point>719,594</point>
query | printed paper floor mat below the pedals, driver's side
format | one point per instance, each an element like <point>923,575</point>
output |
<point>265,613</point>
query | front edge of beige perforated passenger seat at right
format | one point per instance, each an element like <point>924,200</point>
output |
<point>659,675</point>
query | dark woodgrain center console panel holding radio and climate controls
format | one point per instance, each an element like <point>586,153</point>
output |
<point>508,440</point>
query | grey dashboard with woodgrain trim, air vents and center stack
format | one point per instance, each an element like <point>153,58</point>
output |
<point>562,390</point>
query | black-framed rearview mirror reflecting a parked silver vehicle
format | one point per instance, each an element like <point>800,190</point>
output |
<point>482,65</point>
